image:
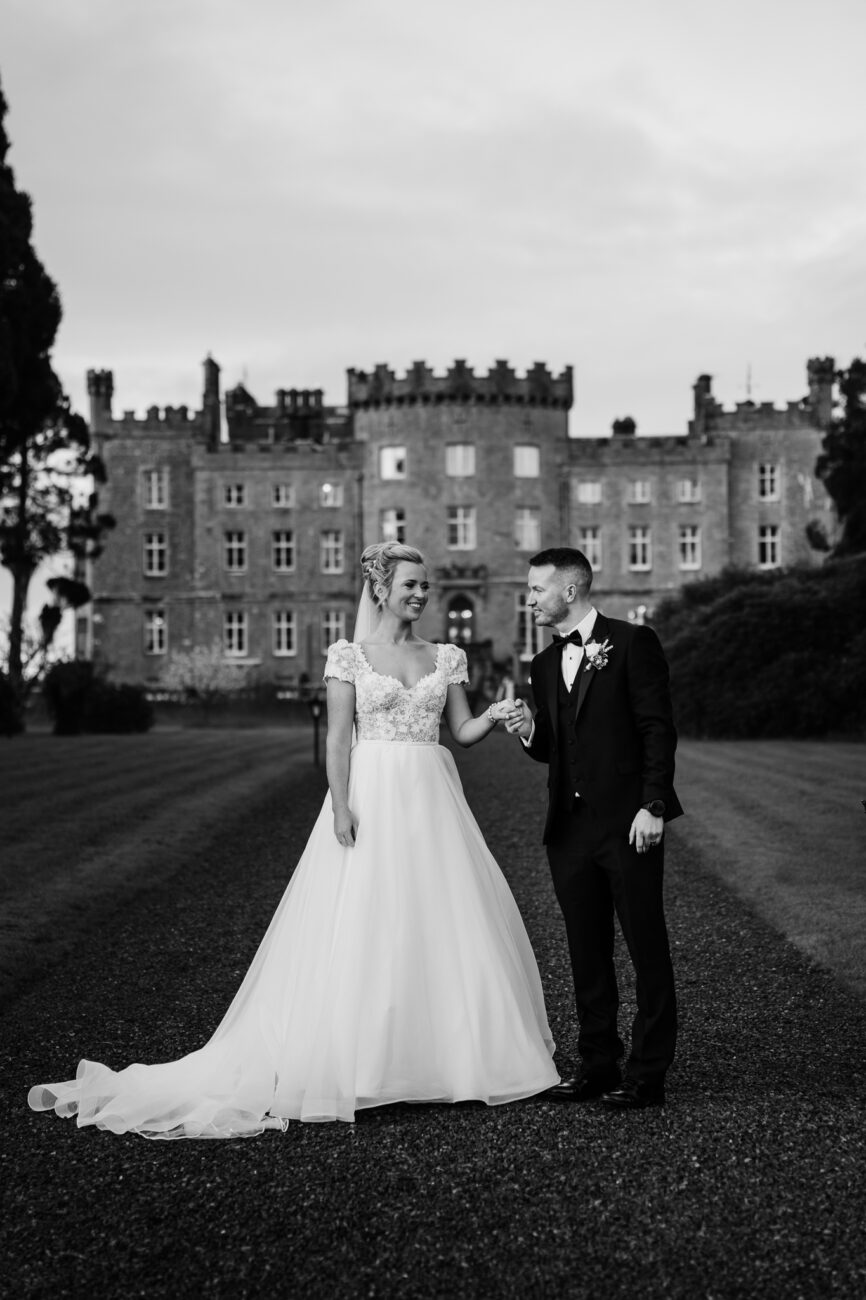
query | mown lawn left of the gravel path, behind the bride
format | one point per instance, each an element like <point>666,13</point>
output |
<point>90,821</point>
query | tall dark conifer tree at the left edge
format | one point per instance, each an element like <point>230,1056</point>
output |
<point>49,476</point>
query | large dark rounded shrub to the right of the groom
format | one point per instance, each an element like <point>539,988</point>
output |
<point>770,655</point>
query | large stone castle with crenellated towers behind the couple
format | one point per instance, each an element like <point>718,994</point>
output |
<point>244,523</point>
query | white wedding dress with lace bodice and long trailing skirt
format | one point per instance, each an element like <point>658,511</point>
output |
<point>397,970</point>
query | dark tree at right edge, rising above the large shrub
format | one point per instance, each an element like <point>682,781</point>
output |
<point>842,465</point>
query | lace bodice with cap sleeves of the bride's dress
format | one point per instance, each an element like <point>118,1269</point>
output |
<point>388,710</point>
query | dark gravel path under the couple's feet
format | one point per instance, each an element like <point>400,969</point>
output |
<point>748,1184</point>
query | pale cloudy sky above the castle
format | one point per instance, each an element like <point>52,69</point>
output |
<point>643,189</point>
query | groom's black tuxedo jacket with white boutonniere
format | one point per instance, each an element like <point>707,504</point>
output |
<point>623,723</point>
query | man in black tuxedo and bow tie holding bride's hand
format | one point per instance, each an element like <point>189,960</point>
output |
<point>604,726</point>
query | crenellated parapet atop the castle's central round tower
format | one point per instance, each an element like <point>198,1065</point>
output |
<point>500,387</point>
